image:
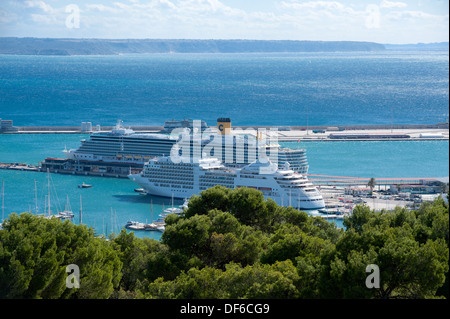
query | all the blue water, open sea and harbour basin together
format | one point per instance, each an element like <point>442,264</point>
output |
<point>252,89</point>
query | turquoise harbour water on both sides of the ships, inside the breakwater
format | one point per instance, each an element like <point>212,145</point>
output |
<point>111,202</point>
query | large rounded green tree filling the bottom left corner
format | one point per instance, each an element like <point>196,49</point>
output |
<point>34,253</point>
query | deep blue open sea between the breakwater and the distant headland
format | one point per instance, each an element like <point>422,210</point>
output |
<point>252,89</point>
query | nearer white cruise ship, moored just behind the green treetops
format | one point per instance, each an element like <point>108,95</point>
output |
<point>181,179</point>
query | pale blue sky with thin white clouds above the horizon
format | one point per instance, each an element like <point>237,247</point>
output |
<point>382,21</point>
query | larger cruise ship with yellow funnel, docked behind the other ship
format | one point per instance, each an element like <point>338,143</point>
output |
<point>122,146</point>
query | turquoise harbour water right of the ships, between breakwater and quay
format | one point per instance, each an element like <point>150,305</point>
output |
<point>377,158</point>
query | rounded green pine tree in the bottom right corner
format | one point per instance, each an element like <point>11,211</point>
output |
<point>408,268</point>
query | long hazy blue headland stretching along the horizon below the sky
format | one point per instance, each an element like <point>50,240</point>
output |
<point>59,46</point>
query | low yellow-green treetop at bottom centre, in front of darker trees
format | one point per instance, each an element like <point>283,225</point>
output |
<point>251,282</point>
